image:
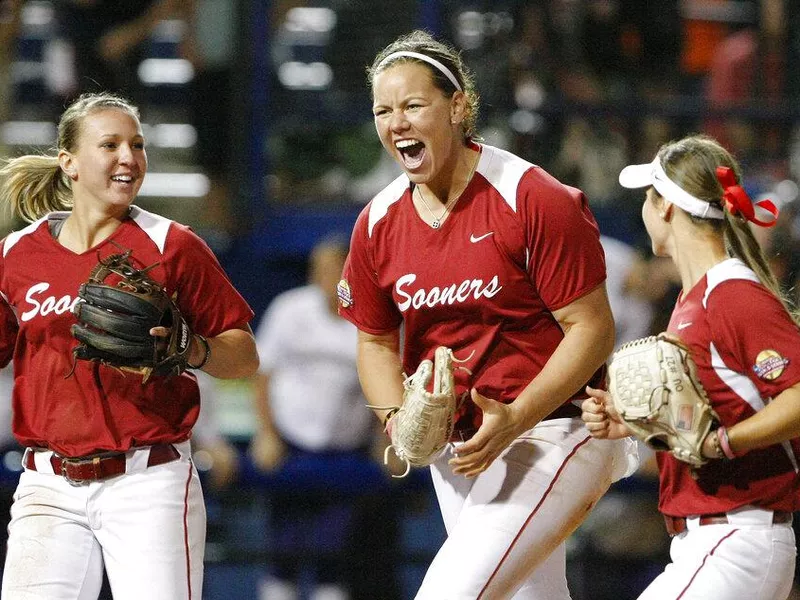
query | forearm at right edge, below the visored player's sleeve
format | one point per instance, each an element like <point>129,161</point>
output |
<point>777,422</point>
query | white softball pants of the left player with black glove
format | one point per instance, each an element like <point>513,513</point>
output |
<point>147,527</point>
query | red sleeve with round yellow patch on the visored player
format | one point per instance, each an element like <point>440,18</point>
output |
<point>755,335</point>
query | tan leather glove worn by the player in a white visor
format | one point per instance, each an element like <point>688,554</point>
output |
<point>653,383</point>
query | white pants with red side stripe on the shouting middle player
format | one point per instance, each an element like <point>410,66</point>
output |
<point>507,526</point>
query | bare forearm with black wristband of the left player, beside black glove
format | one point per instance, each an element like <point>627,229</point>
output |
<point>232,354</point>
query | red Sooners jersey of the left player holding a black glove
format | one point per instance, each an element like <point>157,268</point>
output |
<point>98,408</point>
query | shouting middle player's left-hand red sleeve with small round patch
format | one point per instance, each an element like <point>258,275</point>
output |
<point>362,300</point>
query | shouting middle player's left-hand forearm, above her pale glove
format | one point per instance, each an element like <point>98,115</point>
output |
<point>380,371</point>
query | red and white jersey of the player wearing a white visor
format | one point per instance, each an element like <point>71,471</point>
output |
<point>747,350</point>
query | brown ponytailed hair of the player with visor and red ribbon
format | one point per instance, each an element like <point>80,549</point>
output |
<point>692,163</point>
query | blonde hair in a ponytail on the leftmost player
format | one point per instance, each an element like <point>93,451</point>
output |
<point>34,185</point>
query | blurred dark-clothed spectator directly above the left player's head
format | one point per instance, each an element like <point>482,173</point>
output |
<point>106,42</point>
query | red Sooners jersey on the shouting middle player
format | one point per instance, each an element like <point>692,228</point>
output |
<point>517,245</point>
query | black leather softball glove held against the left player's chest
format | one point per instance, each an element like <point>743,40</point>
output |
<point>119,305</point>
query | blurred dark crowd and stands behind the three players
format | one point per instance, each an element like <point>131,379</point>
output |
<point>260,137</point>
